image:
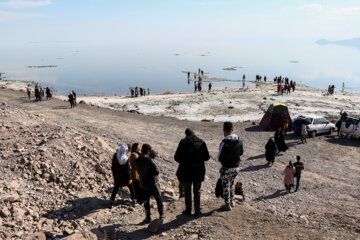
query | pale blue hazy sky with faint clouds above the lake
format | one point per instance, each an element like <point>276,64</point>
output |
<point>170,22</point>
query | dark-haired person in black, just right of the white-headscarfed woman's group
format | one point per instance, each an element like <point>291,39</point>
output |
<point>149,185</point>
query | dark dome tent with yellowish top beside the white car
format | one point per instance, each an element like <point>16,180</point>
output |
<point>276,117</point>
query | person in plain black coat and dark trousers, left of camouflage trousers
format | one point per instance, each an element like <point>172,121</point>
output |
<point>191,155</point>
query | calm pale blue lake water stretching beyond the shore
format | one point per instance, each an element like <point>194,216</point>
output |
<point>112,69</point>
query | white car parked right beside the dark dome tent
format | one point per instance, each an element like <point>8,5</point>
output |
<point>316,125</point>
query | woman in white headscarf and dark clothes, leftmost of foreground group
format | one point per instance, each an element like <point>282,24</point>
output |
<point>121,173</point>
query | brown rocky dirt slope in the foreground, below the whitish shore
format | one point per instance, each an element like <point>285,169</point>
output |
<point>56,178</point>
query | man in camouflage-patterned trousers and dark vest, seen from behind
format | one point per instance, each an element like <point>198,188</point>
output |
<point>231,148</point>
